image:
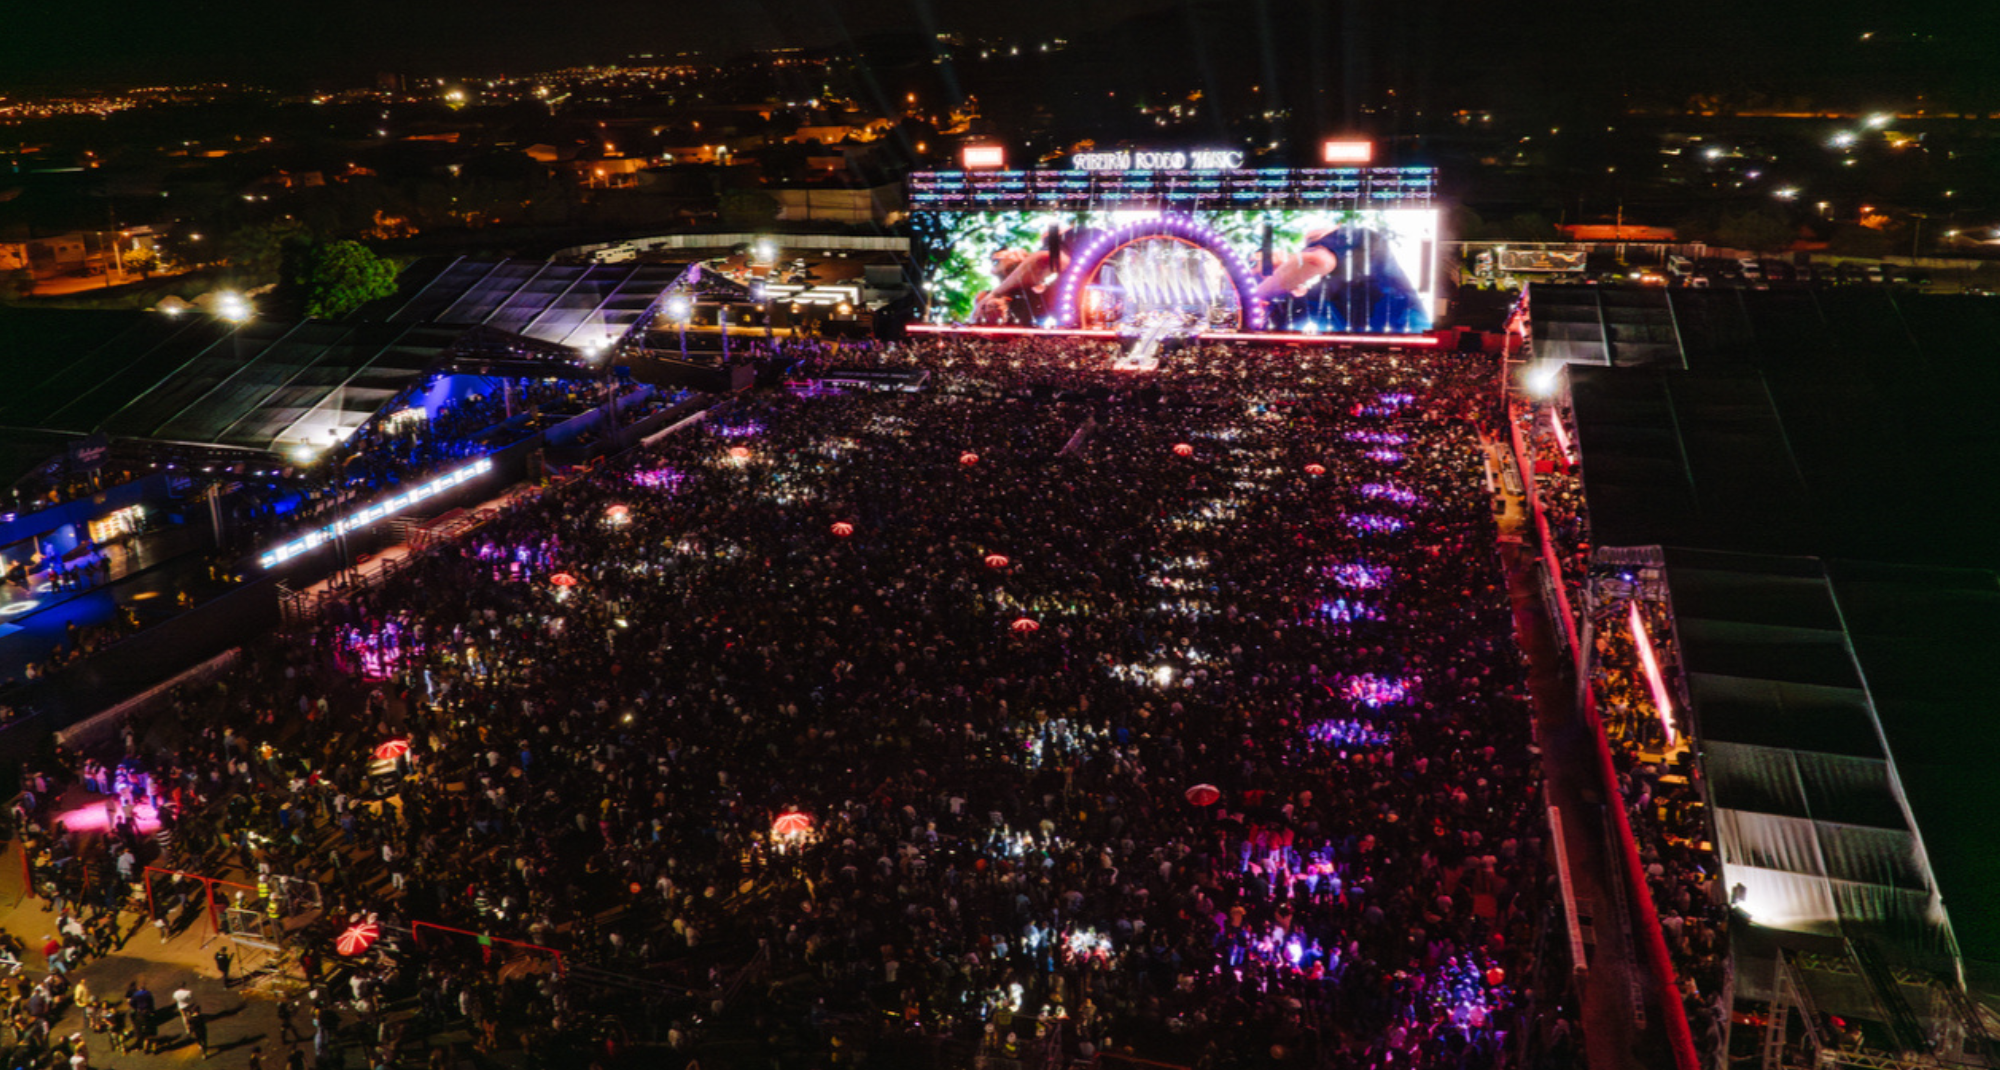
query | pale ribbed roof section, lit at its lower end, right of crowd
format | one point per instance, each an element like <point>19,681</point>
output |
<point>1811,817</point>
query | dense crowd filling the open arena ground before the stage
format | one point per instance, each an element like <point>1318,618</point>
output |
<point>1045,709</point>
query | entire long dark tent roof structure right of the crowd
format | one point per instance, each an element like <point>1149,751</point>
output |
<point>1815,481</point>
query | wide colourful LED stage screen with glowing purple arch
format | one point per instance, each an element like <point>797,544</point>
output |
<point>1269,269</point>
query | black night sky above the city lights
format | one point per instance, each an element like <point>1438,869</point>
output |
<point>345,43</point>
